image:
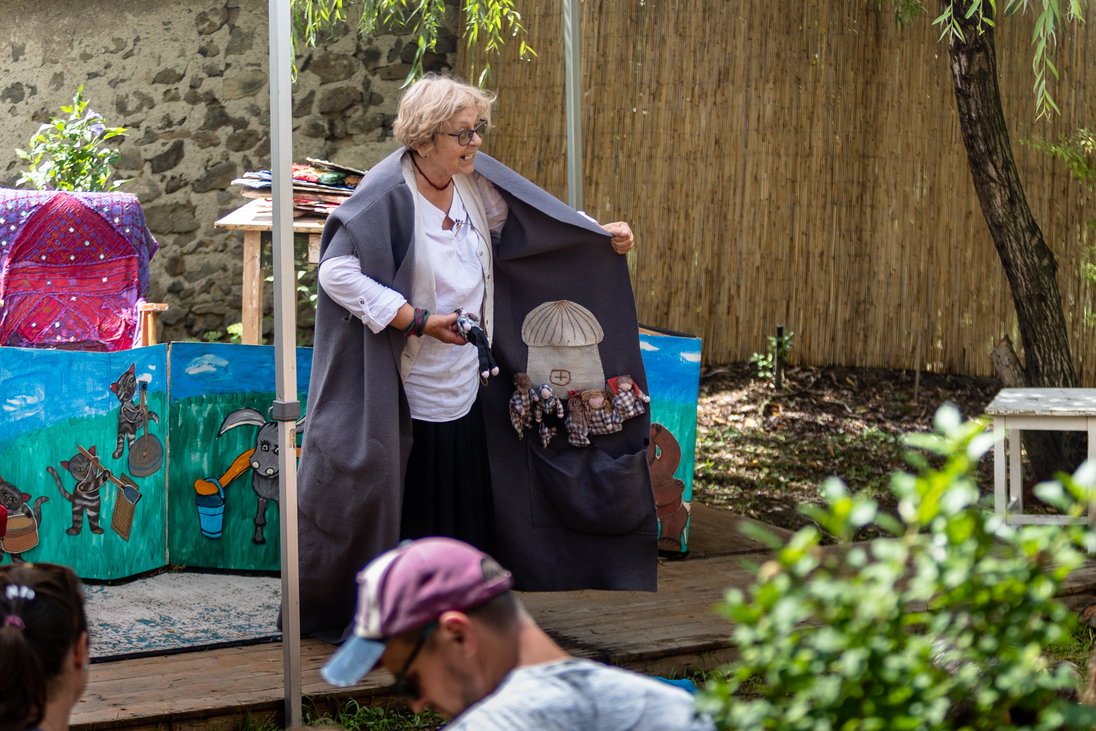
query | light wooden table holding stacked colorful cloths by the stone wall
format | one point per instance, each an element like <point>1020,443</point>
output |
<point>255,219</point>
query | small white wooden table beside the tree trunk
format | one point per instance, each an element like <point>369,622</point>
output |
<point>1043,409</point>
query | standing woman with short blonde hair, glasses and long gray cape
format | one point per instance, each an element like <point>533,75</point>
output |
<point>398,441</point>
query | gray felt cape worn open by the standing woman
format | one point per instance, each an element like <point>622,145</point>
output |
<point>567,518</point>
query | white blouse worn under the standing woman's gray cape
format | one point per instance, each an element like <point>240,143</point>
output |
<point>444,381</point>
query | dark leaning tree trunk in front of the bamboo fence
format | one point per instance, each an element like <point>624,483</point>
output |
<point>1029,262</point>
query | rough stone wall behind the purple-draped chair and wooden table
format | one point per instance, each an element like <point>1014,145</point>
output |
<point>190,83</point>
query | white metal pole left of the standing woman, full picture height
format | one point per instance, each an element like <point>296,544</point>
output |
<point>287,409</point>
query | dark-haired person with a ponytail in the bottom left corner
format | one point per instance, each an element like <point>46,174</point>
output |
<point>43,647</point>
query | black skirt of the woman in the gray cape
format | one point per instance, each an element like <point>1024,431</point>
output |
<point>448,488</point>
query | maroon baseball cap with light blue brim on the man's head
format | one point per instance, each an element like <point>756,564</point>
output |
<point>407,589</point>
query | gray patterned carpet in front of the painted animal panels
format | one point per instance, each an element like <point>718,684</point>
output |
<point>181,612</point>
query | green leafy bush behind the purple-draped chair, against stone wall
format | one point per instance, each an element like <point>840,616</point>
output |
<point>68,155</point>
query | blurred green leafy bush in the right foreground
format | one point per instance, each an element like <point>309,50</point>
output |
<point>945,625</point>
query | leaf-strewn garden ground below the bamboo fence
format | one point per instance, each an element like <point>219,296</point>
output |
<point>762,455</point>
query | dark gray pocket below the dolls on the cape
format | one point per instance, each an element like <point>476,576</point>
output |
<point>590,492</point>
